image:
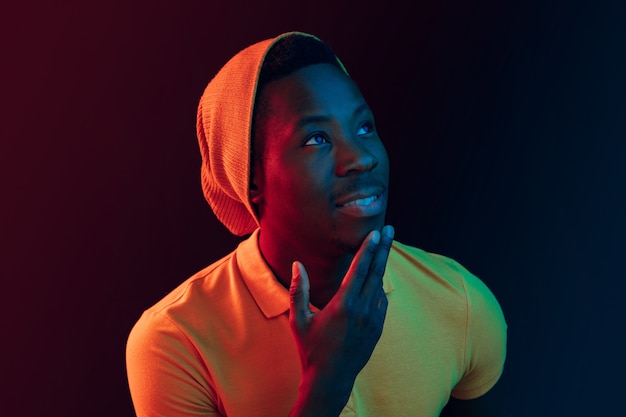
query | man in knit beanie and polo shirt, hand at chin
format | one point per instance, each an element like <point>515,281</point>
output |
<point>369,326</point>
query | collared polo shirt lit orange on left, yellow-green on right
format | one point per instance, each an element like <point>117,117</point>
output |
<point>220,343</point>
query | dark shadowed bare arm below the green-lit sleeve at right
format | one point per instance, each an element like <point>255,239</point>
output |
<point>494,403</point>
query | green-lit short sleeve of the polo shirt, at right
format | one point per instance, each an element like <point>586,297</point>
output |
<point>485,340</point>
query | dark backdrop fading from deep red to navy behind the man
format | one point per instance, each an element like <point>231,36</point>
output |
<point>505,125</point>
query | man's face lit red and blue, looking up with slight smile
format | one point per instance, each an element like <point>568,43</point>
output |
<point>321,170</point>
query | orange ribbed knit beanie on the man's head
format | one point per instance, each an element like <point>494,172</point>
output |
<point>224,129</point>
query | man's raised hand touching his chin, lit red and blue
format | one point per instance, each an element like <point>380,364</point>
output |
<point>336,343</point>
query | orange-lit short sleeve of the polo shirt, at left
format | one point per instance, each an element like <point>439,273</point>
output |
<point>165,377</point>
